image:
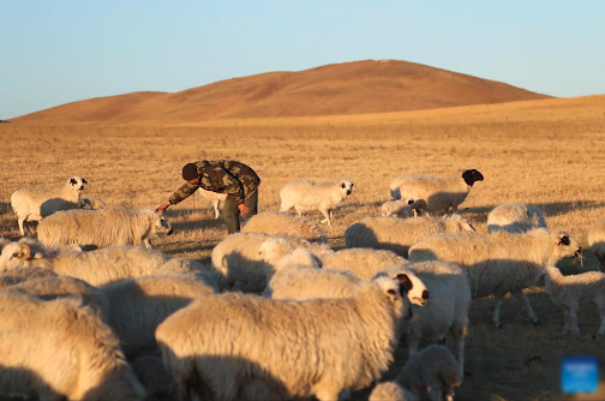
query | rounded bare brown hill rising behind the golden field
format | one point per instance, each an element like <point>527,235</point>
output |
<point>348,88</point>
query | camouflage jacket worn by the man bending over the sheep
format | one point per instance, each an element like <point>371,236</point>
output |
<point>224,176</point>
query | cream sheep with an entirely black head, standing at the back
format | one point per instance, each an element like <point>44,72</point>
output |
<point>439,194</point>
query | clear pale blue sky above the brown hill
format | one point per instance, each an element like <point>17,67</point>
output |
<point>53,52</point>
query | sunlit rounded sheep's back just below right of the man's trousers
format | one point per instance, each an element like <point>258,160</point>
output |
<point>279,222</point>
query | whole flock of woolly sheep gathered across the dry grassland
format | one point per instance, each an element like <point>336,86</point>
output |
<point>91,312</point>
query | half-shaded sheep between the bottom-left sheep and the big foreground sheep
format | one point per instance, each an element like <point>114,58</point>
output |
<point>139,305</point>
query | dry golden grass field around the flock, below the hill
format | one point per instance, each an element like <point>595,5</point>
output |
<point>547,153</point>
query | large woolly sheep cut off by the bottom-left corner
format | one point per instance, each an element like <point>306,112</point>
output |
<point>59,349</point>
